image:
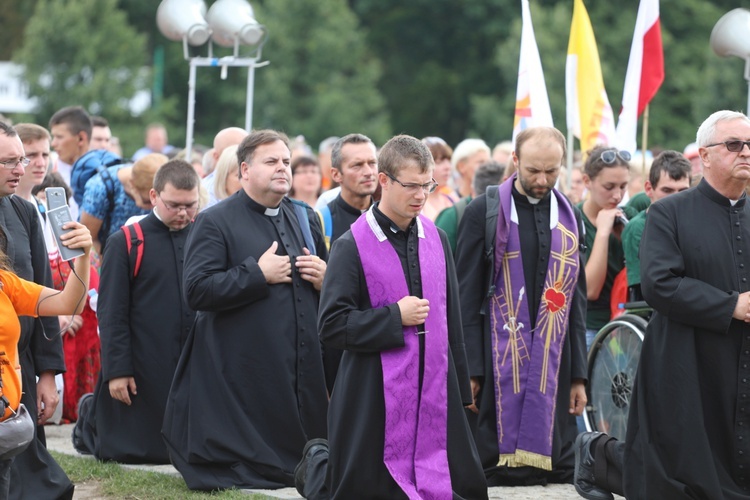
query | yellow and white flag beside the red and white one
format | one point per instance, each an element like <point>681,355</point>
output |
<point>589,113</point>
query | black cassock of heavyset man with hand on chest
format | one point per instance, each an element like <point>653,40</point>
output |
<point>249,389</point>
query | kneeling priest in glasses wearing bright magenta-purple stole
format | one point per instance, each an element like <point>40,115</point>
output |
<point>396,422</point>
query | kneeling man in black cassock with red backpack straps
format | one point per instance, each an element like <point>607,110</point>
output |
<point>144,321</point>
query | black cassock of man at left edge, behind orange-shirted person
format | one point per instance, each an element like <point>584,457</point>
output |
<point>34,473</point>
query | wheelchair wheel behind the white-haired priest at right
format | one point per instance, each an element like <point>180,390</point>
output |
<point>612,365</point>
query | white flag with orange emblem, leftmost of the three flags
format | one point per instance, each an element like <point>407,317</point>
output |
<point>532,102</point>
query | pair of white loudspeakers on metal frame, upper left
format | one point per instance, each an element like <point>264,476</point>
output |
<point>229,23</point>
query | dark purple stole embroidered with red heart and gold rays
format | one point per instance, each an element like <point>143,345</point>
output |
<point>526,364</point>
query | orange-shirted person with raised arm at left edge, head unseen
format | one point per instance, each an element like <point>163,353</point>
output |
<point>19,297</point>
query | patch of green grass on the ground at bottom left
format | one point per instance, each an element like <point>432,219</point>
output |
<point>115,482</point>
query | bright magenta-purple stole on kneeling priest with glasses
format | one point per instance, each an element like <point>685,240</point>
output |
<point>416,425</point>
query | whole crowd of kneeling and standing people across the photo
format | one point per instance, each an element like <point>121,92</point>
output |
<point>406,320</point>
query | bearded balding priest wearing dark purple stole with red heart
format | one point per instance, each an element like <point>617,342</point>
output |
<point>523,312</point>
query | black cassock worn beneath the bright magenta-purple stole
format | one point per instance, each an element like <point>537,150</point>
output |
<point>356,420</point>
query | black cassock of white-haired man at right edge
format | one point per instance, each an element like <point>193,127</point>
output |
<point>689,424</point>
